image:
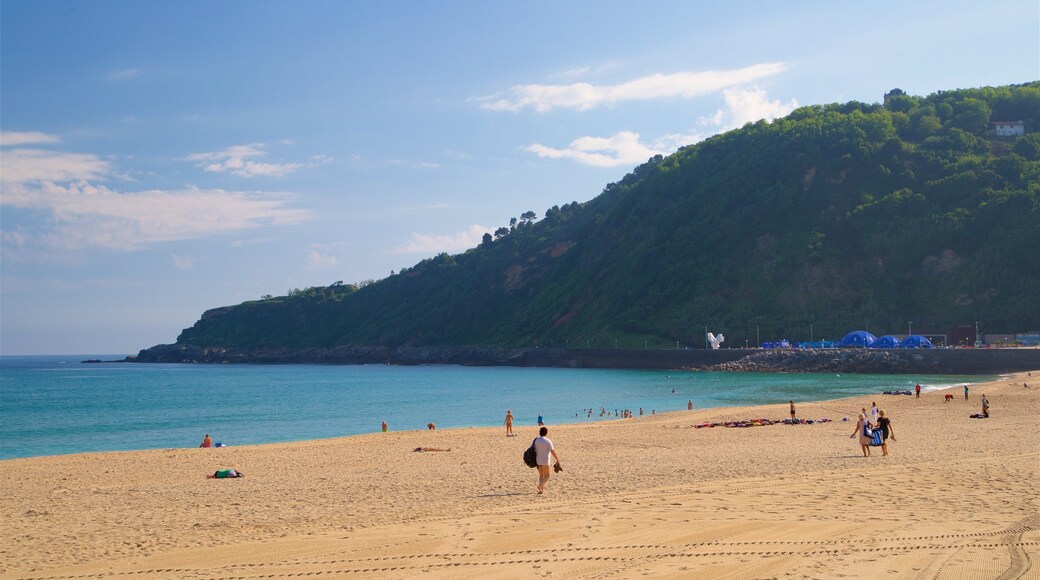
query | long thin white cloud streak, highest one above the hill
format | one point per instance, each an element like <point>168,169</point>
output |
<point>584,96</point>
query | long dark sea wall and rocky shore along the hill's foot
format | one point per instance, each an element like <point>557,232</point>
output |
<point>956,361</point>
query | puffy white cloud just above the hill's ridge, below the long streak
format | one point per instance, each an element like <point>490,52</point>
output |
<point>743,106</point>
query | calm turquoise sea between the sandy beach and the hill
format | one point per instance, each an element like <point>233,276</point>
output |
<point>59,405</point>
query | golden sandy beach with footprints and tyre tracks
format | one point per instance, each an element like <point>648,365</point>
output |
<point>651,496</point>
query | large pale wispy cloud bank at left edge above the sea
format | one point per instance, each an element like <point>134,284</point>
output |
<point>83,214</point>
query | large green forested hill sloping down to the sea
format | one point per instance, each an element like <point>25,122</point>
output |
<point>838,217</point>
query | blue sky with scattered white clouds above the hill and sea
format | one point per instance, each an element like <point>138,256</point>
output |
<point>159,160</point>
